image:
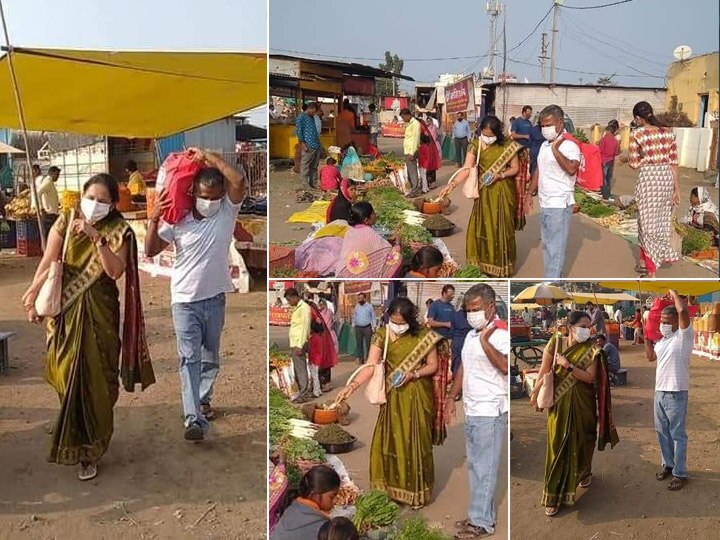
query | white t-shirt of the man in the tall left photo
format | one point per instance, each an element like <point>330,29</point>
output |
<point>202,267</point>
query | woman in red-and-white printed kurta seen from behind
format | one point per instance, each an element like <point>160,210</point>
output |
<point>653,151</point>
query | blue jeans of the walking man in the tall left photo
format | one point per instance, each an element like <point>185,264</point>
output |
<point>198,326</point>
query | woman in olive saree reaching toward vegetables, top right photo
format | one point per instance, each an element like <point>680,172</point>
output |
<point>490,242</point>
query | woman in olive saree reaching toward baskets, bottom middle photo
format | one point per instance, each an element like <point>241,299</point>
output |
<point>411,422</point>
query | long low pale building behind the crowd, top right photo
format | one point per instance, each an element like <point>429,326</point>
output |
<point>585,105</point>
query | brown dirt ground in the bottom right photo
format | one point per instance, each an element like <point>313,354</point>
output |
<point>625,500</point>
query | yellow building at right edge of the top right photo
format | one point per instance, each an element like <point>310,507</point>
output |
<point>693,88</point>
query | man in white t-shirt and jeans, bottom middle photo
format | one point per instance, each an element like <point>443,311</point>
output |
<point>483,380</point>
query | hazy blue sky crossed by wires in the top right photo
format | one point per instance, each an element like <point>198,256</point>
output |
<point>639,36</point>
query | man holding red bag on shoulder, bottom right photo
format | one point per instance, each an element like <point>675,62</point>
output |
<point>672,382</point>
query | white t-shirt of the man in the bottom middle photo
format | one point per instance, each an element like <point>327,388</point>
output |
<point>485,389</point>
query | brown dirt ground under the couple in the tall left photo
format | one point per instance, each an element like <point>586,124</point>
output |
<point>152,483</point>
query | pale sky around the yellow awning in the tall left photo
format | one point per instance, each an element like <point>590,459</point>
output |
<point>177,25</point>
